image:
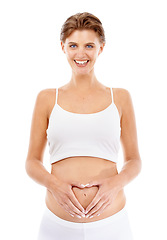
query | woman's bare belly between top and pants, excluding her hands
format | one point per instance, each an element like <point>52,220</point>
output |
<point>83,169</point>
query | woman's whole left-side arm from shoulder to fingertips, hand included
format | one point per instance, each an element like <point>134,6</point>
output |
<point>61,191</point>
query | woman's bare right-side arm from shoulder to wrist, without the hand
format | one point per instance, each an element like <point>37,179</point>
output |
<point>129,142</point>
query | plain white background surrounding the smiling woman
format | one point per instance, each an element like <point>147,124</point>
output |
<point>135,58</point>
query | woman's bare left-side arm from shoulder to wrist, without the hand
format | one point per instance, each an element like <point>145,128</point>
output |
<point>34,162</point>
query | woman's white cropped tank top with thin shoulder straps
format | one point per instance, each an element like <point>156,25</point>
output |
<point>80,134</point>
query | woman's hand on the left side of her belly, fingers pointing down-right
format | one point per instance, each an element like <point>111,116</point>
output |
<point>65,197</point>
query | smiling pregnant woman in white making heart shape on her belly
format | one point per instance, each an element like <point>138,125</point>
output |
<point>84,122</point>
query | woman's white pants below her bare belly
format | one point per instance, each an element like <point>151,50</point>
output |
<point>115,227</point>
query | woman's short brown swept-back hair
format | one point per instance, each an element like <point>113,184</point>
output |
<point>81,21</point>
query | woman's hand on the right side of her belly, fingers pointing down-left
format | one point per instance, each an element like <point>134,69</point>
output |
<point>108,190</point>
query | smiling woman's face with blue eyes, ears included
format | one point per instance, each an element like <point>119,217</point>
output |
<point>82,48</point>
